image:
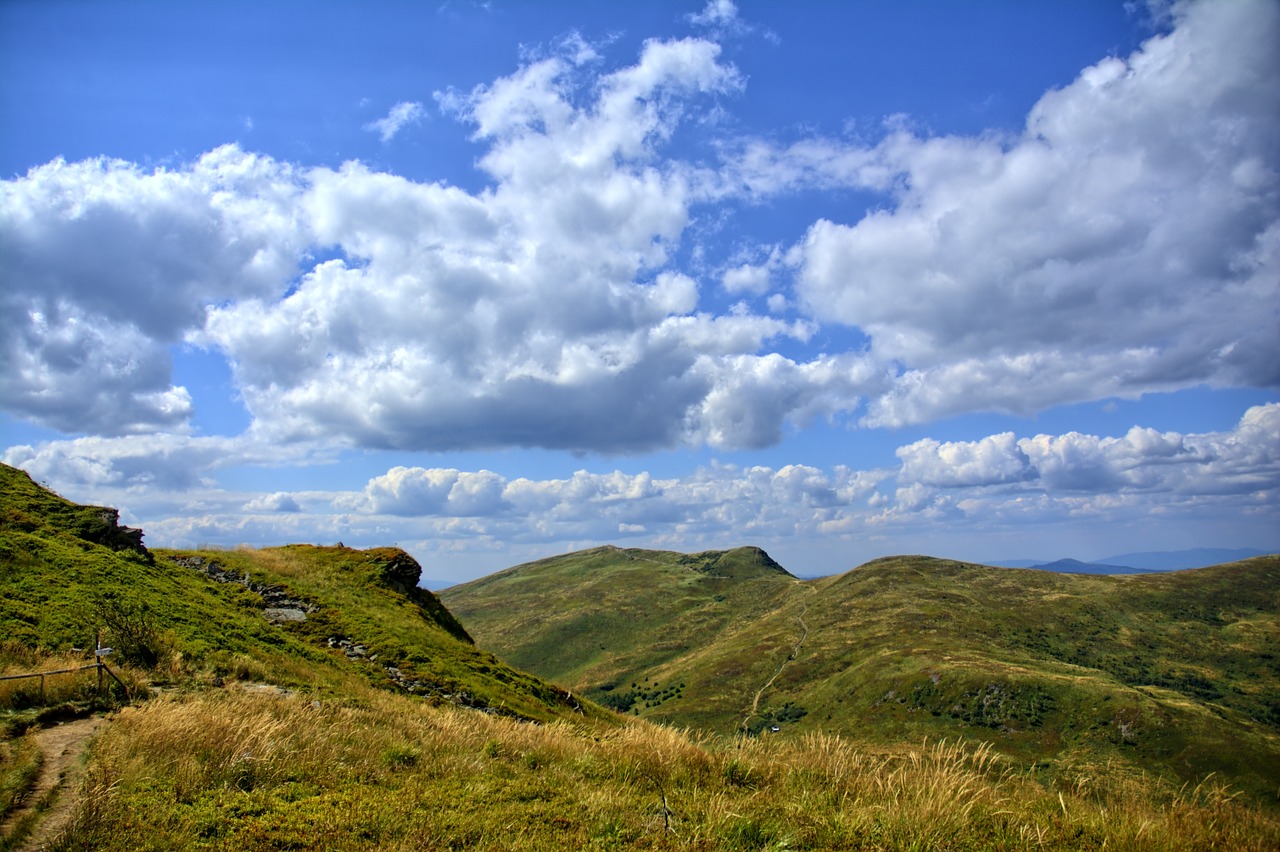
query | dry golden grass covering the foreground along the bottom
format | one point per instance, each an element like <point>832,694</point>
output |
<point>260,769</point>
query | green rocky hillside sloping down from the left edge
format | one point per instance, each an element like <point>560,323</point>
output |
<point>360,616</point>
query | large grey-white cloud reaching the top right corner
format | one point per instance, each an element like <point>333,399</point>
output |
<point>1127,241</point>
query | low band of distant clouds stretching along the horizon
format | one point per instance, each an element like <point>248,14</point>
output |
<point>995,484</point>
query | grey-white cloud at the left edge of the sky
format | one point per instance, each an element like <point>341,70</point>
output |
<point>106,265</point>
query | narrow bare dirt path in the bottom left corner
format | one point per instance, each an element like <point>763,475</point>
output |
<point>62,748</point>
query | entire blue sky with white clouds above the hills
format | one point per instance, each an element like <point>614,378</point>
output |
<point>500,281</point>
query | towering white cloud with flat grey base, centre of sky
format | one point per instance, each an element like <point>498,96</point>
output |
<point>537,314</point>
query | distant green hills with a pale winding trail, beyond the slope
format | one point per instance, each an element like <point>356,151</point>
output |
<point>1173,675</point>
